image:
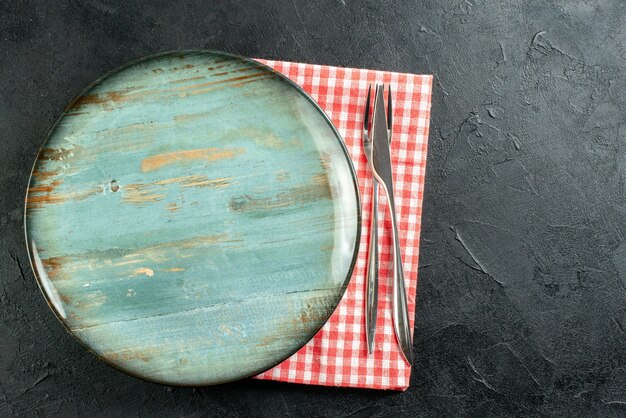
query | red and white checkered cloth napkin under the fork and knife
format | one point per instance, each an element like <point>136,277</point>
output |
<point>337,355</point>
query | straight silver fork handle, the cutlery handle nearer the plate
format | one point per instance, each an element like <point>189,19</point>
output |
<point>371,280</point>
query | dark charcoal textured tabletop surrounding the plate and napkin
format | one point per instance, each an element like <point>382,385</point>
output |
<point>521,296</point>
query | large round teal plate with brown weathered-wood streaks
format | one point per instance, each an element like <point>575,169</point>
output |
<point>193,218</point>
